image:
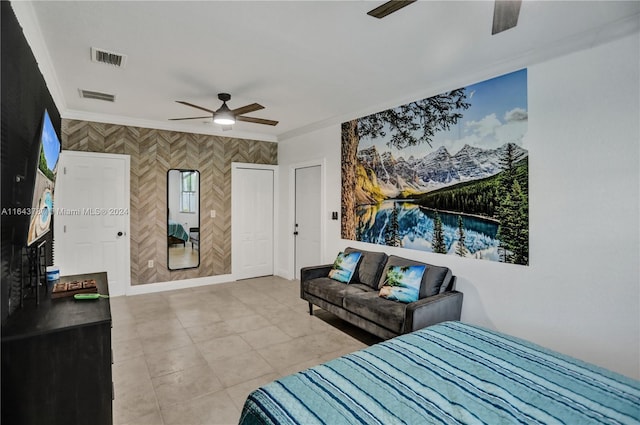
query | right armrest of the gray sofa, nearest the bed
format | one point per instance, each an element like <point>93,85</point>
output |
<point>431,310</point>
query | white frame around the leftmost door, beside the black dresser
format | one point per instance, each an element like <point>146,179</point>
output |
<point>126,287</point>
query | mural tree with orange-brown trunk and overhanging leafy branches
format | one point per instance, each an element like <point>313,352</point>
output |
<point>427,116</point>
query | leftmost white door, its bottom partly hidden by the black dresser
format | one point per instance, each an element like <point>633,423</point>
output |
<point>91,227</point>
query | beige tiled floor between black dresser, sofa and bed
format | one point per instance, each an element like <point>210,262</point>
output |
<point>192,356</point>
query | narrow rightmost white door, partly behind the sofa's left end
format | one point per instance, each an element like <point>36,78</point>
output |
<point>308,207</point>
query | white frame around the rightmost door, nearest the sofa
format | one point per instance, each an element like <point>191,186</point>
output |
<point>291,242</point>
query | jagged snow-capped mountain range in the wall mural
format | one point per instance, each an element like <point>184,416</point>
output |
<point>433,171</point>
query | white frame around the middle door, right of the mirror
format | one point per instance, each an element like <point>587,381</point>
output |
<point>235,238</point>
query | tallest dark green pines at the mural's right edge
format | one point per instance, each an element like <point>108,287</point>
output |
<point>513,212</point>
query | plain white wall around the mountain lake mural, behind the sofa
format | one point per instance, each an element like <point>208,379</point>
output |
<point>581,293</point>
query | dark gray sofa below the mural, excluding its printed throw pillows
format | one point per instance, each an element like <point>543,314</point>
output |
<point>359,304</point>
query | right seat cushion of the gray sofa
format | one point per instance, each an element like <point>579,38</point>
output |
<point>369,305</point>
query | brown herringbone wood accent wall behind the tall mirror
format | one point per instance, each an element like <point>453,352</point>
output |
<point>153,153</point>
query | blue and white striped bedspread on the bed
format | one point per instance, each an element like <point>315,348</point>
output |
<point>450,373</point>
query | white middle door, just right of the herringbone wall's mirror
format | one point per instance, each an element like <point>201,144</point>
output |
<point>252,220</point>
